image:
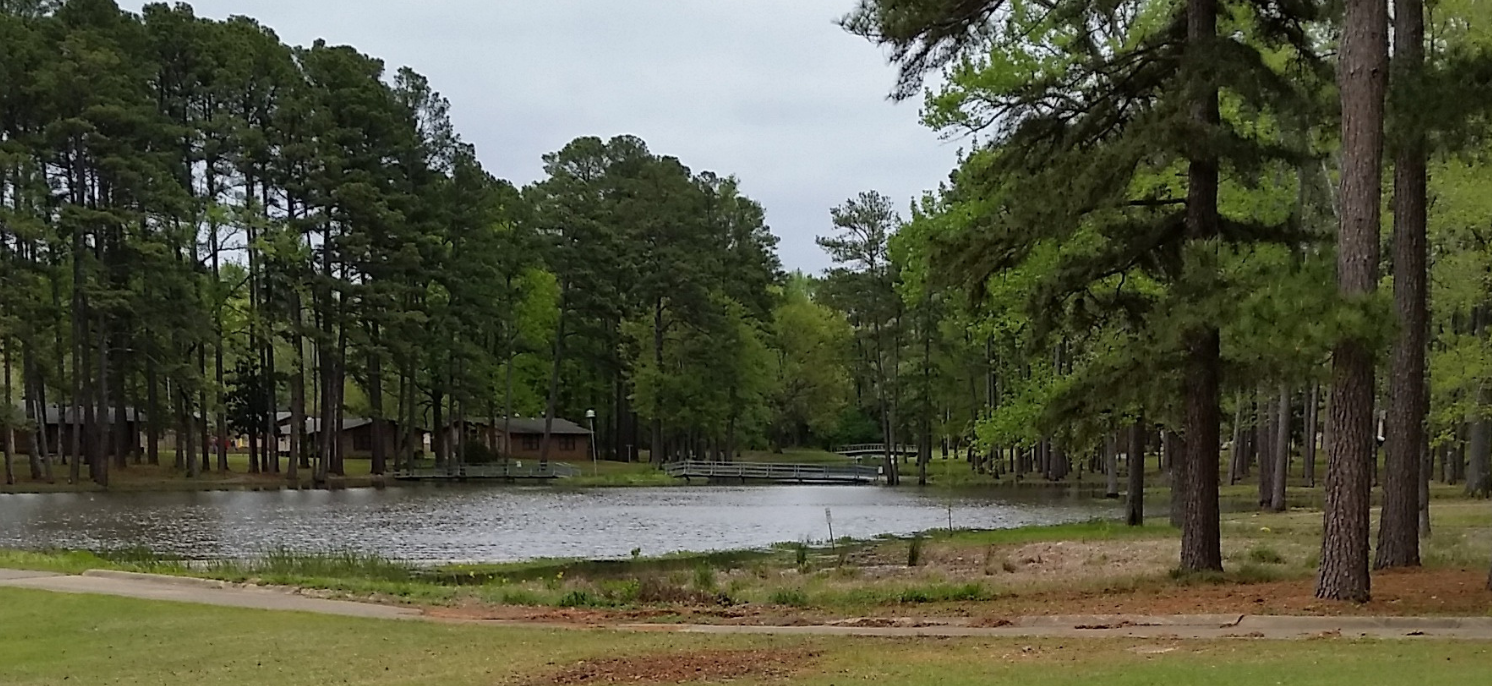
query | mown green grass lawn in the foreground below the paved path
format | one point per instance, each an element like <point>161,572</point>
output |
<point>71,639</point>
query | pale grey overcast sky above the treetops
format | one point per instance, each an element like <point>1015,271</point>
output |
<point>768,90</point>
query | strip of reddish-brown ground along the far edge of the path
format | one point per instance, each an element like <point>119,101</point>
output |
<point>1414,593</point>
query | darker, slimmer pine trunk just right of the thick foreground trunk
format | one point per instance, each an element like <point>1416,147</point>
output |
<point>1409,406</point>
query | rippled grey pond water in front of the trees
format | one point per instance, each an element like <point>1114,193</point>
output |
<point>508,524</point>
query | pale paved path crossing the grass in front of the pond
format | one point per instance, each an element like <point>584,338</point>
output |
<point>178,590</point>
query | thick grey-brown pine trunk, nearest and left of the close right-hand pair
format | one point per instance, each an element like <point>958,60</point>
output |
<point>1363,75</point>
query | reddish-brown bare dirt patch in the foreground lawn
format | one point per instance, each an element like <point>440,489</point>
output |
<point>708,667</point>
